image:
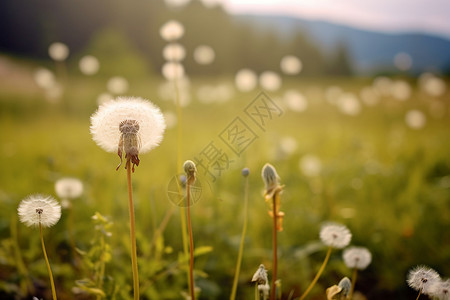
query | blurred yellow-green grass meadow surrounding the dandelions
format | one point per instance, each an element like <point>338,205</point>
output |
<point>387,182</point>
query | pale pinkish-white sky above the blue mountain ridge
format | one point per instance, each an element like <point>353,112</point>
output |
<point>429,16</point>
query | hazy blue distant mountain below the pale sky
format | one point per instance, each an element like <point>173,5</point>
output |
<point>370,51</point>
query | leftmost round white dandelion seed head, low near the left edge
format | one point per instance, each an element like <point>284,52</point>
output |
<point>37,209</point>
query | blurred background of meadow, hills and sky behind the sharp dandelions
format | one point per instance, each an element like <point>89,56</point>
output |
<point>361,138</point>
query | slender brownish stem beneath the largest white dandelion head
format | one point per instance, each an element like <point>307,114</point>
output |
<point>132,233</point>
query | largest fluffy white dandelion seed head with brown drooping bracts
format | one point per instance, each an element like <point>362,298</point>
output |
<point>128,124</point>
